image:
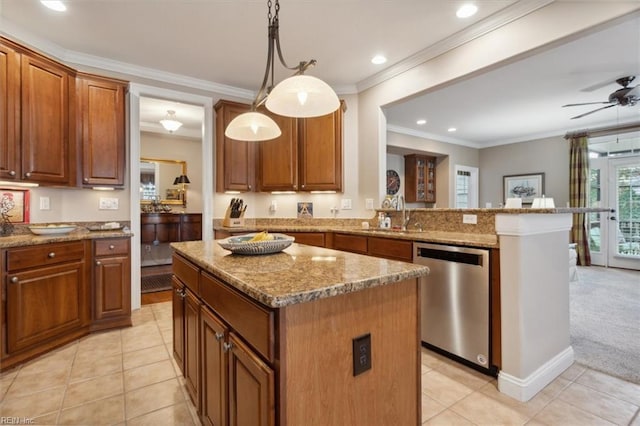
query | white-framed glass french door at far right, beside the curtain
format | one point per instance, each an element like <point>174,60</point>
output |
<point>614,236</point>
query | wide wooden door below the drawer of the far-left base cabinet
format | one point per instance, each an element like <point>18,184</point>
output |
<point>44,303</point>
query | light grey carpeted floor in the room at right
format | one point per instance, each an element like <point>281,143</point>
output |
<point>605,321</point>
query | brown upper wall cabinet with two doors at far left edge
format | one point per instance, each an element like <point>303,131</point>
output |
<point>40,146</point>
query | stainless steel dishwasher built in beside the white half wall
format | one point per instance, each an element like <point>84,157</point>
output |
<point>455,301</point>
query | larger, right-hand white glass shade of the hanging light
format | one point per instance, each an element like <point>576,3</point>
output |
<point>302,96</point>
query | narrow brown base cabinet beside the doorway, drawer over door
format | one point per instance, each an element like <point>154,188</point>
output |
<point>111,283</point>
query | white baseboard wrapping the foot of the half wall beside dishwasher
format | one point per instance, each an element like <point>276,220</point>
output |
<point>525,389</point>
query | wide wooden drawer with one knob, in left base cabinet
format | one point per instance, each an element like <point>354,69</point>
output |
<point>45,254</point>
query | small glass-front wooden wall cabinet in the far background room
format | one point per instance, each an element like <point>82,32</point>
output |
<point>419,178</point>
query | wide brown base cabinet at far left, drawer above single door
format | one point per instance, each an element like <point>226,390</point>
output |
<point>46,298</point>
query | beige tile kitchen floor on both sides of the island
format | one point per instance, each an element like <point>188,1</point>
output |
<point>128,377</point>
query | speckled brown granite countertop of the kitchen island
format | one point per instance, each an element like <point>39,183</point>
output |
<point>298,274</point>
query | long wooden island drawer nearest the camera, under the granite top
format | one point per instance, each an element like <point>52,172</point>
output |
<point>253,322</point>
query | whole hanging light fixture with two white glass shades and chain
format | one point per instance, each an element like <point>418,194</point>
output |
<point>297,96</point>
